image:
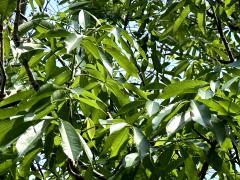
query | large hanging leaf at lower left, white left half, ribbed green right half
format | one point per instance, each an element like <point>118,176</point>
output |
<point>71,142</point>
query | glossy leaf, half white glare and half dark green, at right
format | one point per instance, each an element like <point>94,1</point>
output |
<point>200,113</point>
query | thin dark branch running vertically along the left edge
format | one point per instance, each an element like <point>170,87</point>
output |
<point>3,74</point>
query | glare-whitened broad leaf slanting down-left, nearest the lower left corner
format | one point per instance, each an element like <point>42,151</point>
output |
<point>28,140</point>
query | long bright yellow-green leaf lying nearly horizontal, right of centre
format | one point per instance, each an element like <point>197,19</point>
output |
<point>181,87</point>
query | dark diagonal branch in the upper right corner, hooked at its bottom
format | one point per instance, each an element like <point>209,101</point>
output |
<point>223,38</point>
